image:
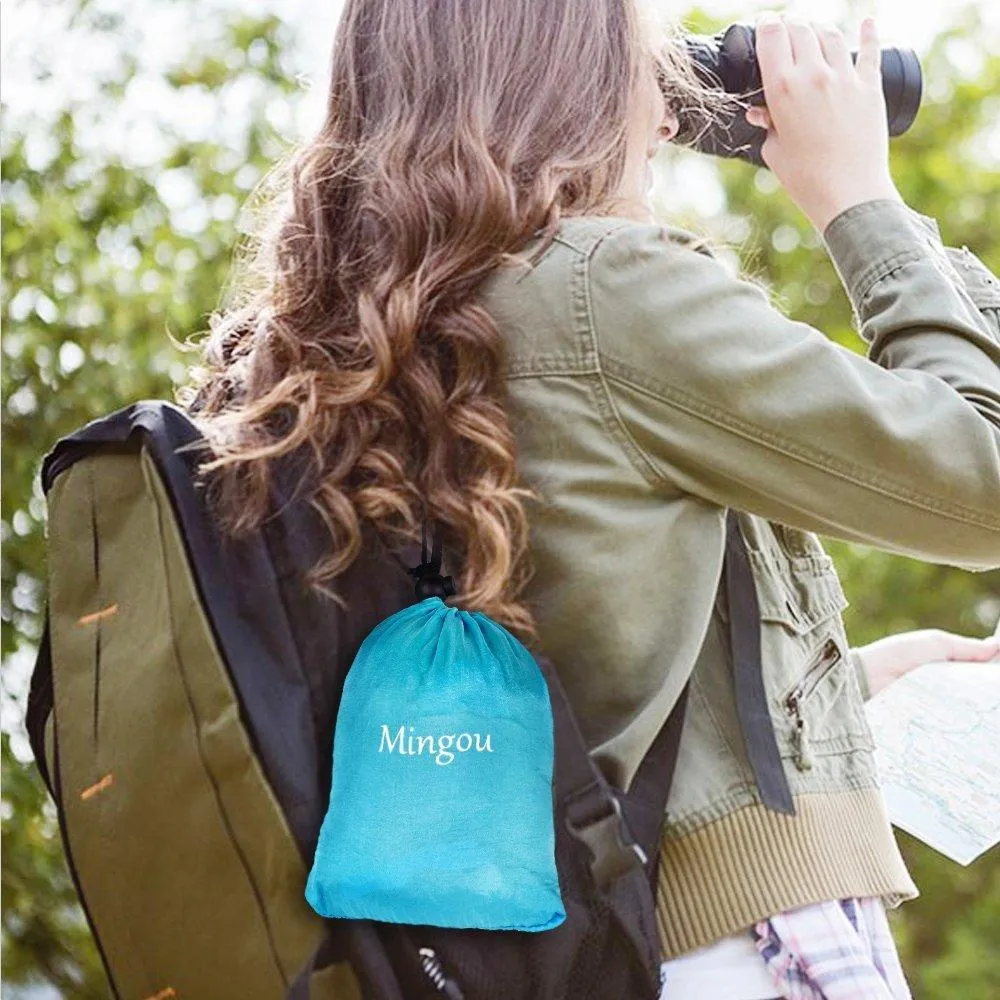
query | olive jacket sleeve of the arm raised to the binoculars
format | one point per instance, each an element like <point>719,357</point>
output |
<point>717,393</point>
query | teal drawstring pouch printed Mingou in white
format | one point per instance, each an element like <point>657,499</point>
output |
<point>441,804</point>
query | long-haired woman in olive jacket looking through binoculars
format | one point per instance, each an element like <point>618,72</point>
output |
<point>464,304</point>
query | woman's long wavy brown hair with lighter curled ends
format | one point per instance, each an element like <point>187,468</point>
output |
<point>455,131</point>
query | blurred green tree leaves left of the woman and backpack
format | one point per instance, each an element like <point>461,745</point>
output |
<point>104,264</point>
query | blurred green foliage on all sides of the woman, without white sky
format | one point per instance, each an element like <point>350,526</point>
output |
<point>103,267</point>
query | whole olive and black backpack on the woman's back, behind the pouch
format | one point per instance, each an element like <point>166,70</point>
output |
<point>181,712</point>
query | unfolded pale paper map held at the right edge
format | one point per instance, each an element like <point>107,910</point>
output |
<point>937,732</point>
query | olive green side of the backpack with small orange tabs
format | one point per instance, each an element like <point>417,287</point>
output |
<point>189,874</point>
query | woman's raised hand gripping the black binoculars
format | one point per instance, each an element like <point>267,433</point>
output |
<point>827,133</point>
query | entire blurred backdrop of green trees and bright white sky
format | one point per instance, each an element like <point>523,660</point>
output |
<point>118,229</point>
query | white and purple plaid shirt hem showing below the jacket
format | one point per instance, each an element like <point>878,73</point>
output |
<point>832,951</point>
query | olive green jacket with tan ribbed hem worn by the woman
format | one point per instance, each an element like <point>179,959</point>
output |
<point>651,389</point>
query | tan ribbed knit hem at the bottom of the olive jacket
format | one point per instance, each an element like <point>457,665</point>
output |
<point>754,863</point>
